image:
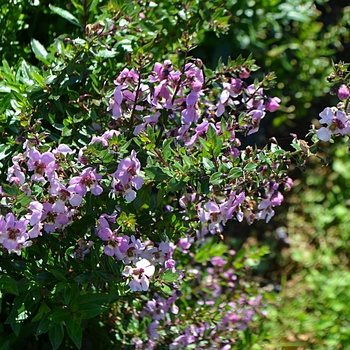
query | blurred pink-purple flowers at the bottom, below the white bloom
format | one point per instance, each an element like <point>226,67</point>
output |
<point>219,279</point>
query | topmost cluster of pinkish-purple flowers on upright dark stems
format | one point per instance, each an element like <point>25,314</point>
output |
<point>180,94</point>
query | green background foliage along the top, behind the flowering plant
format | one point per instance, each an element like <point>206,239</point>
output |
<point>293,39</point>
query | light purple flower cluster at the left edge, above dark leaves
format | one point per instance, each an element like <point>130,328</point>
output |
<point>62,193</point>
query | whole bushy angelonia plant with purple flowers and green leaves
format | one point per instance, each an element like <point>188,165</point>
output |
<point>118,189</point>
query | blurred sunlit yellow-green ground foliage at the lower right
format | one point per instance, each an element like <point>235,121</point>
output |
<point>313,310</point>
